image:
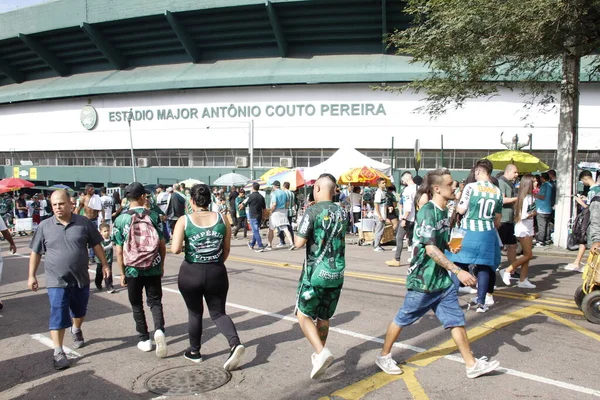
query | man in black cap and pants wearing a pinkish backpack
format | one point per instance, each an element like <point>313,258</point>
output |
<point>141,258</point>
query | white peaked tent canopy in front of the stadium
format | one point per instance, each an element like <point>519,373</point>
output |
<point>343,160</point>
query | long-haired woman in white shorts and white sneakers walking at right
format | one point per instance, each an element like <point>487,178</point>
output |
<point>524,215</point>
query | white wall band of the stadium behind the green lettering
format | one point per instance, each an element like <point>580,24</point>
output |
<point>55,125</point>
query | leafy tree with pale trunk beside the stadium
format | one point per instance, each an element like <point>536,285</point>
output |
<point>540,48</point>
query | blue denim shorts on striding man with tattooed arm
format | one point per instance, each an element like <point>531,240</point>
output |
<point>444,304</point>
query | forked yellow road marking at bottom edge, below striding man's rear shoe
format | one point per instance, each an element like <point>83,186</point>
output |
<point>360,389</point>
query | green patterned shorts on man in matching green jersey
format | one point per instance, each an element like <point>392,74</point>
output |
<point>317,303</point>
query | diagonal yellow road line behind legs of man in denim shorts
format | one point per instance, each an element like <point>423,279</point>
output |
<point>435,353</point>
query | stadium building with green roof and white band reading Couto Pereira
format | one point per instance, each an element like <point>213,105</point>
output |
<point>201,88</point>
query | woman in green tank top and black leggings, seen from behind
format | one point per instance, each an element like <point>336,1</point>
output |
<point>205,239</point>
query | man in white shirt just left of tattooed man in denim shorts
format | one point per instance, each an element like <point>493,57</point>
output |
<point>407,219</point>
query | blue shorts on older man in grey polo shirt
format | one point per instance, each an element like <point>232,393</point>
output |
<point>67,303</point>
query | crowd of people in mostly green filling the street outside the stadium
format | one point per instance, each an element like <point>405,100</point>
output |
<point>488,213</point>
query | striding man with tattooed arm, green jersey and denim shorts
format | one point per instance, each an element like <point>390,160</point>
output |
<point>428,284</point>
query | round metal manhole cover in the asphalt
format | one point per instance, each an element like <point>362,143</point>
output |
<point>182,381</point>
